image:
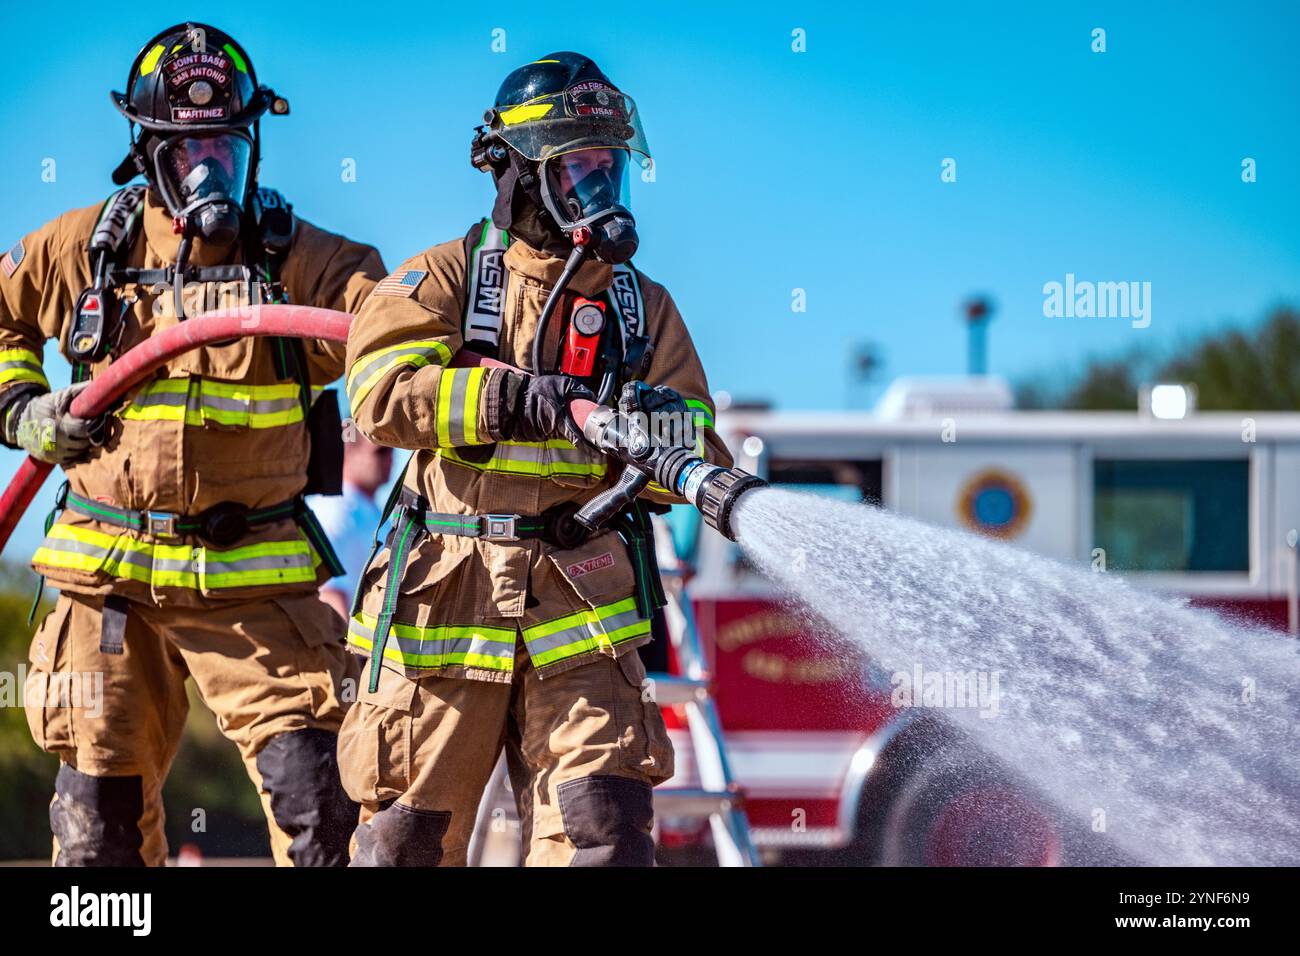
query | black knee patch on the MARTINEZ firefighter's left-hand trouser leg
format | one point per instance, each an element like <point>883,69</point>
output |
<point>97,820</point>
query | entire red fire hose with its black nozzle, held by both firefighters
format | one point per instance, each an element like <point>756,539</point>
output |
<point>710,488</point>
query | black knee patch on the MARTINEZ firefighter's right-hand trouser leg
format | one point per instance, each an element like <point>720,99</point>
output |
<point>307,802</point>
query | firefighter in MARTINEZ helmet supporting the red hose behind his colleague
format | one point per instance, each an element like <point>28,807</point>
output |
<point>183,547</point>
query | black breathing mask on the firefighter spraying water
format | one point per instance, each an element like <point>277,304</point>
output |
<point>590,188</point>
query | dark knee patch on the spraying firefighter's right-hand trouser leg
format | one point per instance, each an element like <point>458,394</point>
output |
<point>609,821</point>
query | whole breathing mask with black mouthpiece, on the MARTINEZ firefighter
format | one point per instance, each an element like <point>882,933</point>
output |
<point>203,180</point>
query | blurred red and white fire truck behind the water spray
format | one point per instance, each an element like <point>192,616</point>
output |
<point>1203,507</point>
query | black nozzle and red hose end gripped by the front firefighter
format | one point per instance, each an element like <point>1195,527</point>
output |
<point>709,488</point>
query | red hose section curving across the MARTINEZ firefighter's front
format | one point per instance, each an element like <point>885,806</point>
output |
<point>141,362</point>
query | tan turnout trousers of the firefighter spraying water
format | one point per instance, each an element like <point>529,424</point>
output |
<point>584,749</point>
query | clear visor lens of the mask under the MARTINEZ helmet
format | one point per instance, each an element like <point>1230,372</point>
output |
<point>206,168</point>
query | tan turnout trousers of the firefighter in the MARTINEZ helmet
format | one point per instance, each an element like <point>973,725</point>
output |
<point>268,669</point>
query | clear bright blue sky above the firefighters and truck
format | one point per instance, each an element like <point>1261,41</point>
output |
<point>778,171</point>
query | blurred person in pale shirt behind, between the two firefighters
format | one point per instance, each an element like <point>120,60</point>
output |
<point>349,520</point>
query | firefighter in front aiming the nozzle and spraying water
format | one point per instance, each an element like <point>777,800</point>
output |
<point>493,620</point>
